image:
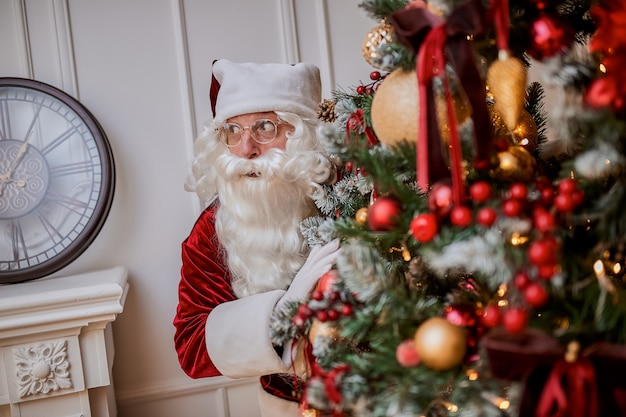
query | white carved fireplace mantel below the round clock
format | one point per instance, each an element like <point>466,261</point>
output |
<point>56,345</point>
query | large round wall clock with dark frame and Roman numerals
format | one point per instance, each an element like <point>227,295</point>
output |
<point>57,179</point>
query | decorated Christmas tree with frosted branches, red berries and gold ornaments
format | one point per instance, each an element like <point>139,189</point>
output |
<point>483,234</point>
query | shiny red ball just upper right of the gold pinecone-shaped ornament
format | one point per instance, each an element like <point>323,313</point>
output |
<point>549,35</point>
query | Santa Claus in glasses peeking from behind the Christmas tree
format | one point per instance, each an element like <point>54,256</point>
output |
<point>257,166</point>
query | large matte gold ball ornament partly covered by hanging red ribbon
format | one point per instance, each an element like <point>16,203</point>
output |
<point>394,108</point>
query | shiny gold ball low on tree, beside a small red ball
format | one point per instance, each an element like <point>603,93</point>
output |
<point>440,344</point>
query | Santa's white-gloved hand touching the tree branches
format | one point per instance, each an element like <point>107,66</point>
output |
<point>320,260</point>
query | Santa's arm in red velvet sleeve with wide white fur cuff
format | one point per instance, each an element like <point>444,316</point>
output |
<point>217,334</point>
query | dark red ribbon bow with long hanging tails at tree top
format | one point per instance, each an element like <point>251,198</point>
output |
<point>436,42</point>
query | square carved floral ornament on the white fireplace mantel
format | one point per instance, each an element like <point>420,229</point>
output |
<point>42,368</point>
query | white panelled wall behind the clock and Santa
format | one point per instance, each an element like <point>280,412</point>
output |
<point>143,68</point>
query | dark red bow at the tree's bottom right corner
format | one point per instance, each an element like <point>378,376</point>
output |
<point>591,386</point>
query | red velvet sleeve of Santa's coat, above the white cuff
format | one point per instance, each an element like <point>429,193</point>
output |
<point>204,284</point>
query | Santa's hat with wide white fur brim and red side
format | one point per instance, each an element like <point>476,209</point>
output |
<point>241,88</point>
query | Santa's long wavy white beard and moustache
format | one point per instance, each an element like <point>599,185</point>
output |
<point>258,221</point>
